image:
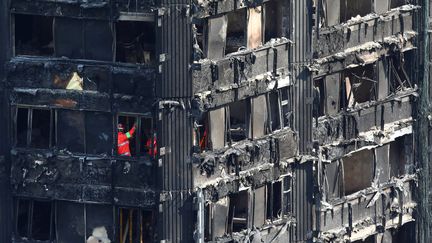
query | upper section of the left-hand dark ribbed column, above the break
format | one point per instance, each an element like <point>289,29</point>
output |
<point>175,38</point>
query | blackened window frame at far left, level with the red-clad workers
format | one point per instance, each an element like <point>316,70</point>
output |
<point>29,133</point>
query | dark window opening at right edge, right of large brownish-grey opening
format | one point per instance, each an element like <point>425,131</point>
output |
<point>400,155</point>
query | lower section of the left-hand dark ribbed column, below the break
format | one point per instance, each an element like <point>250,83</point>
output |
<point>175,135</point>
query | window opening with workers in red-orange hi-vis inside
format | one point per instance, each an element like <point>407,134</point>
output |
<point>135,136</point>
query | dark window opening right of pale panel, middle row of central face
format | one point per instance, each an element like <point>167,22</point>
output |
<point>239,120</point>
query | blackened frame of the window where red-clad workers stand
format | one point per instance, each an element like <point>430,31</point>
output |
<point>138,134</point>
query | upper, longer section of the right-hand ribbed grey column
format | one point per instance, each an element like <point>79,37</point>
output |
<point>300,56</point>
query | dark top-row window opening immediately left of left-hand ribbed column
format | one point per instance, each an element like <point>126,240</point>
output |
<point>135,42</point>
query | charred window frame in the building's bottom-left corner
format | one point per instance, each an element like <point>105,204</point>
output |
<point>30,216</point>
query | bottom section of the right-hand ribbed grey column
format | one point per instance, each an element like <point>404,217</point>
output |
<point>302,202</point>
